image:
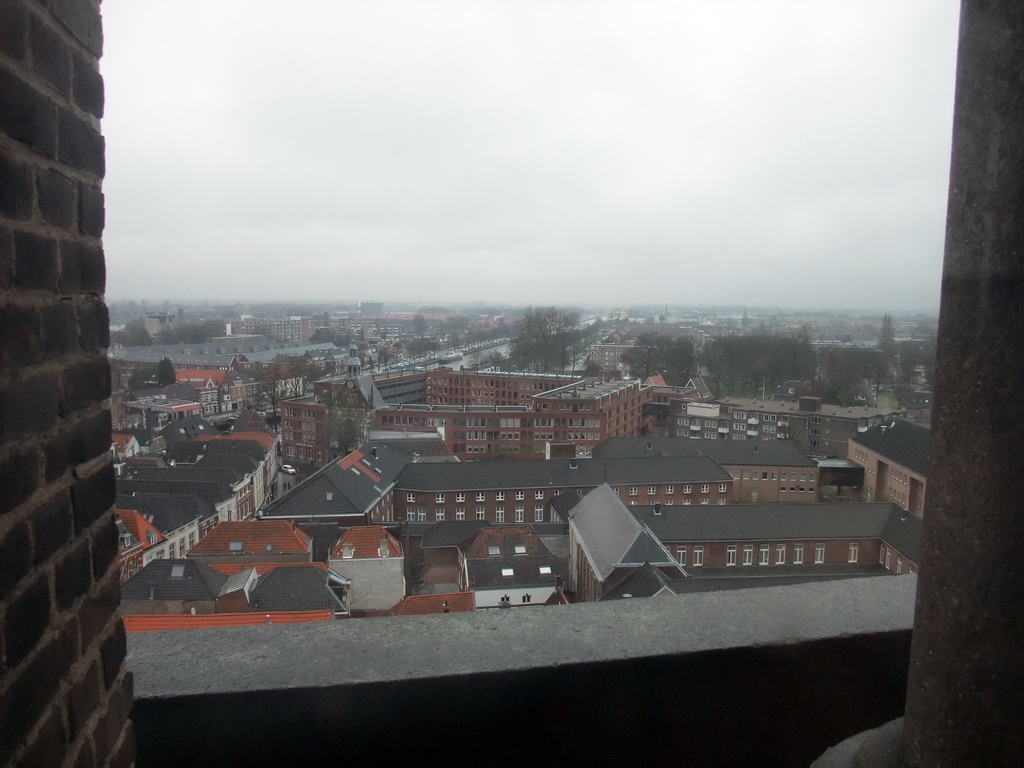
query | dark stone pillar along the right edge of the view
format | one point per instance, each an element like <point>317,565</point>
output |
<point>966,693</point>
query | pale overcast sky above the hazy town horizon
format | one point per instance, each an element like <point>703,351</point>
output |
<point>759,153</point>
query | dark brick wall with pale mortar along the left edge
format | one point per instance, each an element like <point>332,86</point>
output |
<point>65,695</point>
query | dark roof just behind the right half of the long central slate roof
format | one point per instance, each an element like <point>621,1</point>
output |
<point>733,453</point>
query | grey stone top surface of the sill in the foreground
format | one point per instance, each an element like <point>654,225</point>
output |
<point>240,660</point>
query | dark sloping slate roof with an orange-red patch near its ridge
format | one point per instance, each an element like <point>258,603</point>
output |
<point>345,488</point>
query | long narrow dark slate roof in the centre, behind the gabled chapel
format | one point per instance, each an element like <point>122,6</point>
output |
<point>559,473</point>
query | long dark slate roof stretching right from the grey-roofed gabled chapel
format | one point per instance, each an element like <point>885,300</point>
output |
<point>757,523</point>
